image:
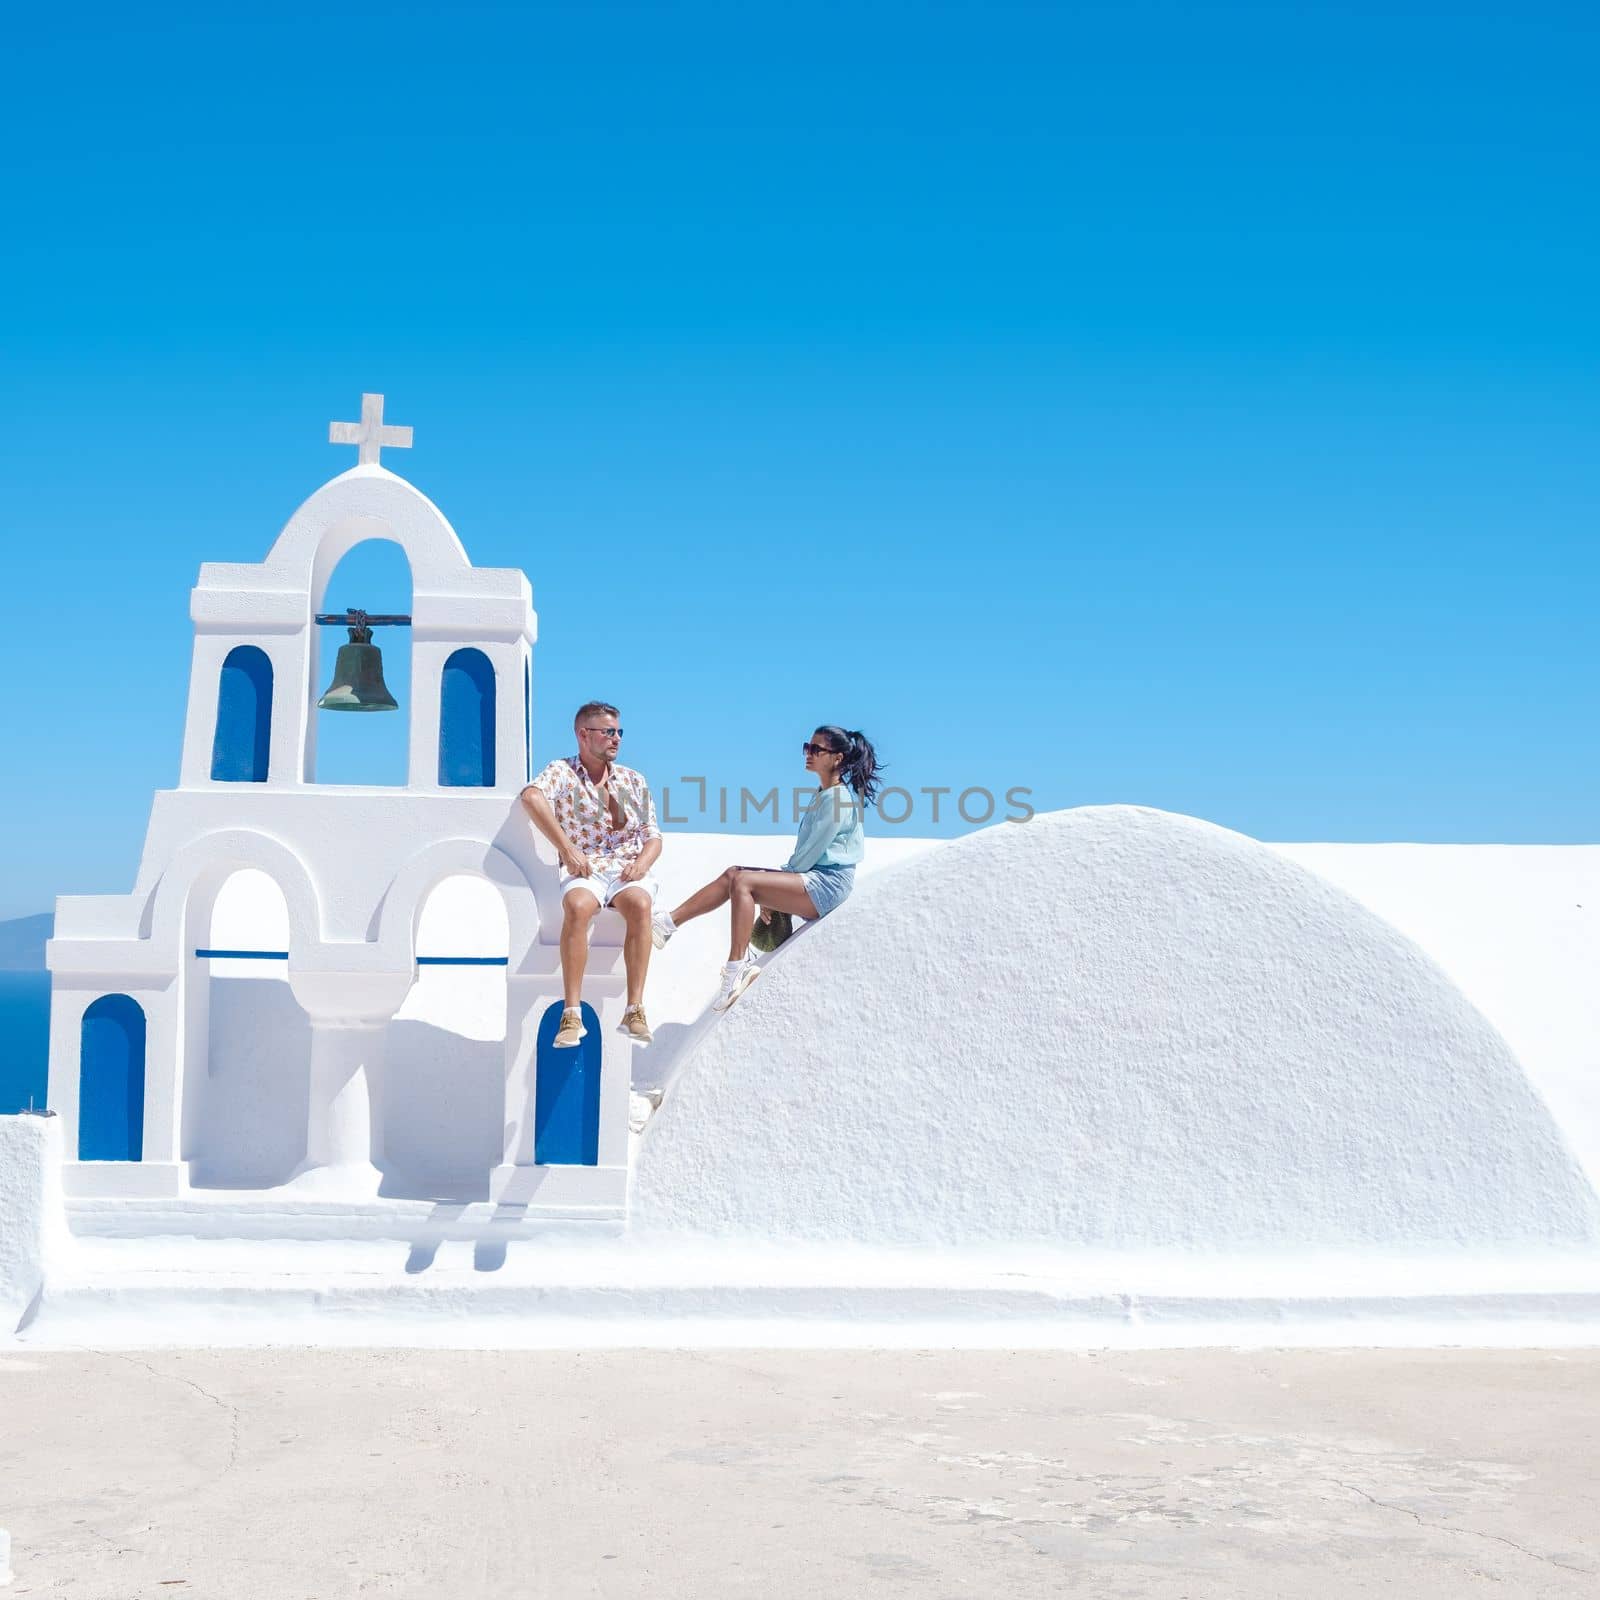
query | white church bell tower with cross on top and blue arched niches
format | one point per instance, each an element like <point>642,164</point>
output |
<point>329,990</point>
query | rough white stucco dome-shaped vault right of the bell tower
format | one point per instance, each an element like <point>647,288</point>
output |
<point>1110,1028</point>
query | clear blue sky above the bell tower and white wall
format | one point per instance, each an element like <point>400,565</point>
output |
<point>1185,406</point>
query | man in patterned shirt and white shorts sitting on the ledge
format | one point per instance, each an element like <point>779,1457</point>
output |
<point>602,822</point>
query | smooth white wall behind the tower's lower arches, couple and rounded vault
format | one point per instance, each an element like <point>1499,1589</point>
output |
<point>1506,924</point>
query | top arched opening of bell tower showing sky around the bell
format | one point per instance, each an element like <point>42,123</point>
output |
<point>372,748</point>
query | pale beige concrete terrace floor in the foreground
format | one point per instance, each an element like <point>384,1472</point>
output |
<point>318,1474</point>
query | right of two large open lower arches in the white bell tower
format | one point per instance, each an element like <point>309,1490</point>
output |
<point>444,1098</point>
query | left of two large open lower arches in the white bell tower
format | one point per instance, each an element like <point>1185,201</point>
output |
<point>247,1042</point>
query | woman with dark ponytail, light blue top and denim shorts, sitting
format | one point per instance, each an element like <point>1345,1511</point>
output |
<point>814,881</point>
